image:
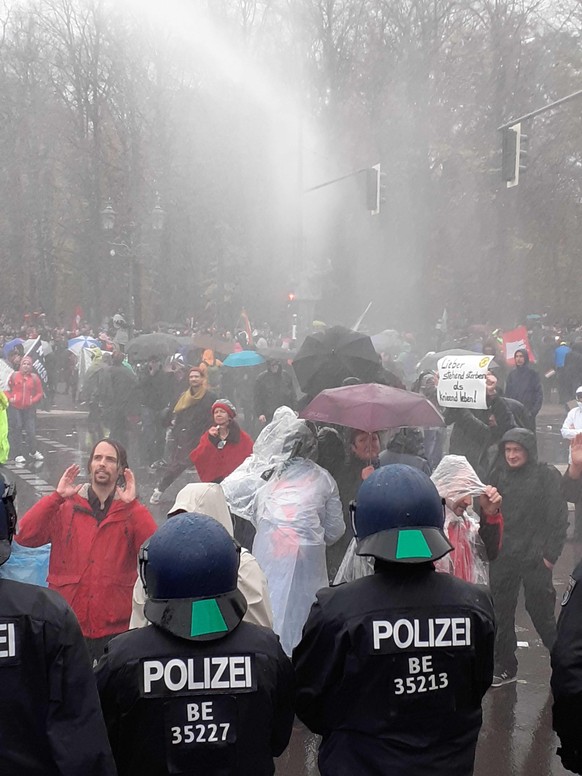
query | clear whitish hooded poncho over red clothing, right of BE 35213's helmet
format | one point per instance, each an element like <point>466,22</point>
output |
<point>455,478</point>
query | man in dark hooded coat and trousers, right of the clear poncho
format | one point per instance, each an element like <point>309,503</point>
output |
<point>535,516</point>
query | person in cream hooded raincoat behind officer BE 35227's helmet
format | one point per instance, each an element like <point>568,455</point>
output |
<point>207,498</point>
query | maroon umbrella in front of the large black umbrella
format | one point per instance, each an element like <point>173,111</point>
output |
<point>372,407</point>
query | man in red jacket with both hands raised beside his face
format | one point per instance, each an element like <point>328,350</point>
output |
<point>96,531</point>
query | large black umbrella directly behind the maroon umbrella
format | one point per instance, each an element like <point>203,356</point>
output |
<point>327,358</point>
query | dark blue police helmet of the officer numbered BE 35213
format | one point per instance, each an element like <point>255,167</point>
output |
<point>399,517</point>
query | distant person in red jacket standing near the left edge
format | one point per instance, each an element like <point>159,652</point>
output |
<point>24,394</point>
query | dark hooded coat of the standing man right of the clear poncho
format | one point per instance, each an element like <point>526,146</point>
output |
<point>535,513</point>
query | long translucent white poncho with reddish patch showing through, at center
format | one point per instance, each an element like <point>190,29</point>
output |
<point>296,513</point>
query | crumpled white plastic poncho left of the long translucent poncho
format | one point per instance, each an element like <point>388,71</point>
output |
<point>241,487</point>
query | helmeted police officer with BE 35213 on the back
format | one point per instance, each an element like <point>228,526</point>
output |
<point>392,668</point>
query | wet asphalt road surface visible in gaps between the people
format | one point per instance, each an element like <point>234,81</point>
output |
<point>516,738</point>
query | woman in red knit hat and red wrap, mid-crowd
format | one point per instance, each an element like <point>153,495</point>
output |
<point>224,446</point>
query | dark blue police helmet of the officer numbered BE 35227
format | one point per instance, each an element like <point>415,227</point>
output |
<point>189,568</point>
